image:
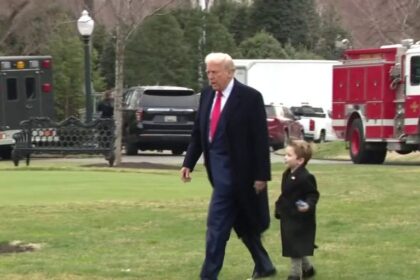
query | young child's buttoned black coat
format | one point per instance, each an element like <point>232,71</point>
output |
<point>298,229</point>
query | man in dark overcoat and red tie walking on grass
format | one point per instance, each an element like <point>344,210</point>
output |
<point>231,131</point>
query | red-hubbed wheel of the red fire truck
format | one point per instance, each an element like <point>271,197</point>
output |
<point>358,152</point>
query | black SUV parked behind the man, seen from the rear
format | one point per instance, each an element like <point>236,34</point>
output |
<point>158,118</point>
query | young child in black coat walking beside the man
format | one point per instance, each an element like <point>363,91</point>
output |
<point>296,207</point>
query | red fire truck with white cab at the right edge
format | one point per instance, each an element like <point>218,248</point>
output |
<point>376,101</point>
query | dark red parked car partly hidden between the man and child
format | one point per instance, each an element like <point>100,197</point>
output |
<point>282,126</point>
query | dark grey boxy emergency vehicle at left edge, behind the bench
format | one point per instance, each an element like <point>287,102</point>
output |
<point>25,91</point>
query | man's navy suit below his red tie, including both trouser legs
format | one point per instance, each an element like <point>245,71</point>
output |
<point>223,210</point>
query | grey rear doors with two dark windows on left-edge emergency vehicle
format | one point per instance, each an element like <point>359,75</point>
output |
<point>20,99</point>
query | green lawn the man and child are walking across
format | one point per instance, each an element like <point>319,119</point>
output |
<point>146,224</point>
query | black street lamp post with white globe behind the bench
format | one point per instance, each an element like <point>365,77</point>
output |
<point>85,26</point>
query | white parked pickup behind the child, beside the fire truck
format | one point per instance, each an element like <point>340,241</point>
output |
<point>316,122</point>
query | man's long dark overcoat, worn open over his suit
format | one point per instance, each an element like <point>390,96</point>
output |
<point>248,146</point>
